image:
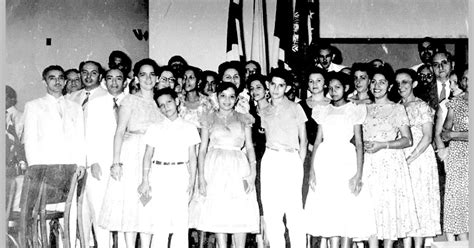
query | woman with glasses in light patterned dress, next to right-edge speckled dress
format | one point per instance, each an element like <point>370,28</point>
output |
<point>421,160</point>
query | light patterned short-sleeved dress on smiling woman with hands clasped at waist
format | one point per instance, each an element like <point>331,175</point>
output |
<point>386,175</point>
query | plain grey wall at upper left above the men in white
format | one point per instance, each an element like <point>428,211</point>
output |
<point>79,30</point>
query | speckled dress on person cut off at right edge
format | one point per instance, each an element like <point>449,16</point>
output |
<point>456,201</point>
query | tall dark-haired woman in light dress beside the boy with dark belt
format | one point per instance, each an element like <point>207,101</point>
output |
<point>122,210</point>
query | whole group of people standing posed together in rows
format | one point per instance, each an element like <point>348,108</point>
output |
<point>354,155</point>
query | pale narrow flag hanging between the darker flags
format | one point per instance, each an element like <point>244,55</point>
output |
<point>259,48</point>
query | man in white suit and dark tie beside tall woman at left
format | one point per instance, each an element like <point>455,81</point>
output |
<point>100,130</point>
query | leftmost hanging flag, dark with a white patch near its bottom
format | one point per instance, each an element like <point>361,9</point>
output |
<point>235,43</point>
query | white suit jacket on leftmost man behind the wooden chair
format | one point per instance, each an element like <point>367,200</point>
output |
<point>51,135</point>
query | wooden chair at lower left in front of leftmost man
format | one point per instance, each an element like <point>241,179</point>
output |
<point>44,185</point>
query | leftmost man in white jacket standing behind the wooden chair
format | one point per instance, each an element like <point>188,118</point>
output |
<point>54,134</point>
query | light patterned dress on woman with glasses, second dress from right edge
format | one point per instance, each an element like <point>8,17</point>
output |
<point>424,172</point>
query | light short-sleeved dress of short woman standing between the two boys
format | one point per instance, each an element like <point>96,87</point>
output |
<point>227,208</point>
